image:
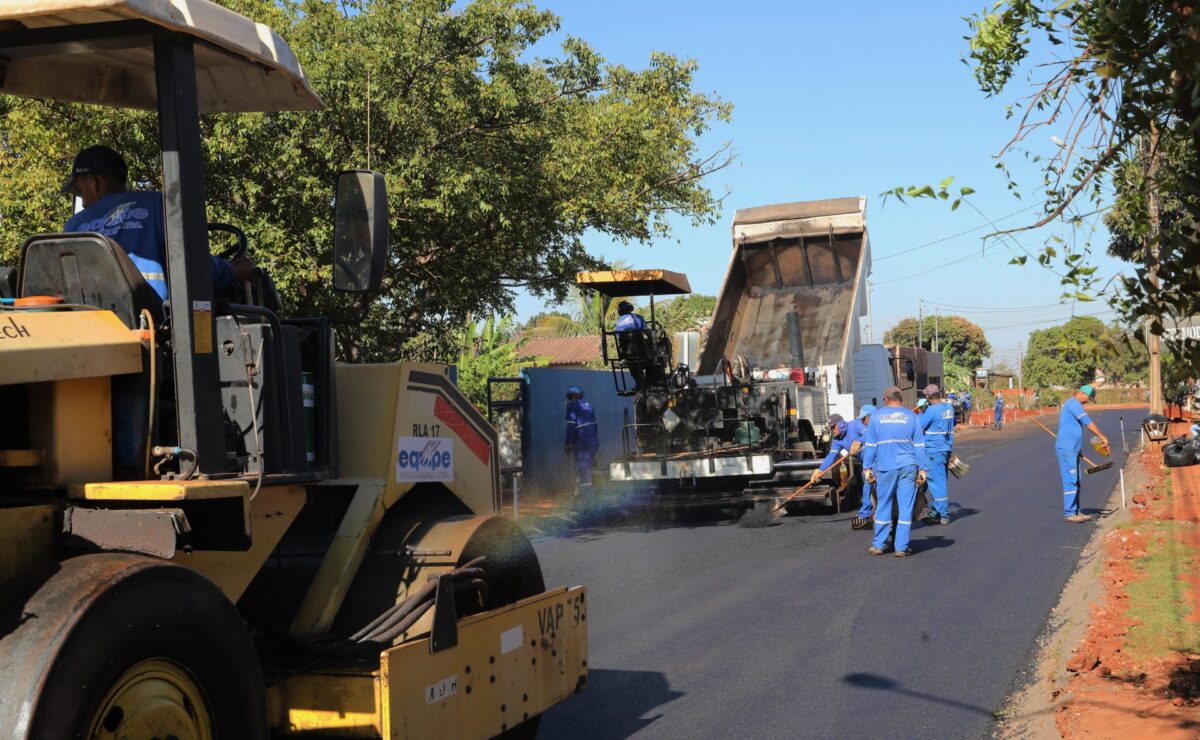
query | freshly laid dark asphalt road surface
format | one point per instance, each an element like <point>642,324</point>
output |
<point>709,630</point>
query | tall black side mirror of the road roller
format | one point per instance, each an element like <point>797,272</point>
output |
<point>361,232</point>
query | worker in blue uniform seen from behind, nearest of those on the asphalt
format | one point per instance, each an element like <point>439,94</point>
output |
<point>895,459</point>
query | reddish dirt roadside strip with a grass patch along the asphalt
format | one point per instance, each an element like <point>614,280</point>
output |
<point>1123,658</point>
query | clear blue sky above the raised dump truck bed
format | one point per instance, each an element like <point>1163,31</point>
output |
<point>835,100</point>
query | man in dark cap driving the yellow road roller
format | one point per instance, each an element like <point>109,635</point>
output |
<point>133,220</point>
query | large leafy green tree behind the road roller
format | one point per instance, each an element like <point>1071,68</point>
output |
<point>497,161</point>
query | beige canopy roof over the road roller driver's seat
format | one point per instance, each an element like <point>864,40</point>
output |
<point>104,52</point>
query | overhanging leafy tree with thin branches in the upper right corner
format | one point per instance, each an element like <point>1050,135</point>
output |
<point>1119,86</point>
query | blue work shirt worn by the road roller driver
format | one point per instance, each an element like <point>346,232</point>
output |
<point>135,221</point>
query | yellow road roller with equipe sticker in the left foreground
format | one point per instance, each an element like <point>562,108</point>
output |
<point>209,528</point>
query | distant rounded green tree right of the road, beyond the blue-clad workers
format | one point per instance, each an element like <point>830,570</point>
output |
<point>1064,356</point>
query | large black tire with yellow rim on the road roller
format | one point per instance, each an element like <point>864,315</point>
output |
<point>115,646</point>
